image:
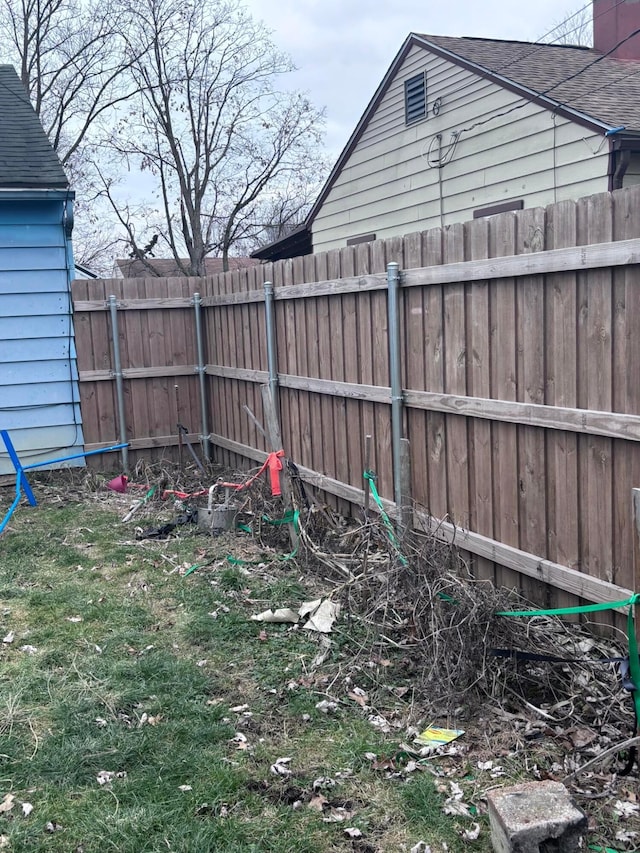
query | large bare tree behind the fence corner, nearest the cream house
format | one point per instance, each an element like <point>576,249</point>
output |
<point>212,126</point>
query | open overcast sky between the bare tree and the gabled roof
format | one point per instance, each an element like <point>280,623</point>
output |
<point>343,47</point>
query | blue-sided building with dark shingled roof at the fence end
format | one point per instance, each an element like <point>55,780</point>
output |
<point>39,396</point>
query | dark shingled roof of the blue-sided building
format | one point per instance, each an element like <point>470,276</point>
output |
<point>27,158</point>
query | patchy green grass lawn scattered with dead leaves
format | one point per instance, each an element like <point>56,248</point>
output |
<point>142,710</point>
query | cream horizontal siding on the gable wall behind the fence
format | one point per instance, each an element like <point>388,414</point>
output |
<point>509,149</point>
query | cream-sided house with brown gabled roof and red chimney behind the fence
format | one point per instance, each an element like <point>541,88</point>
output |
<point>462,128</point>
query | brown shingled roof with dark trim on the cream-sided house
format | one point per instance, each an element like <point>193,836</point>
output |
<point>579,83</point>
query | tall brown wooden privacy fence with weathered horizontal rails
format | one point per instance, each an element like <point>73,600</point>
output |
<point>519,342</point>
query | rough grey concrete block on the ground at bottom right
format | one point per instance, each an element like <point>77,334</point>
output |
<point>535,817</point>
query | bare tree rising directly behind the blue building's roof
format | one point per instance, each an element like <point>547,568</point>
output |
<point>73,61</point>
